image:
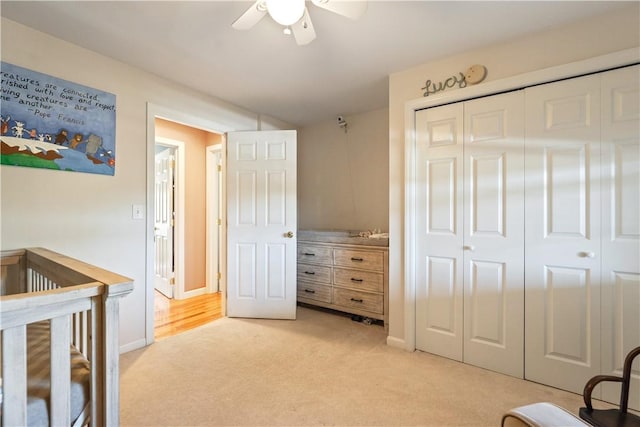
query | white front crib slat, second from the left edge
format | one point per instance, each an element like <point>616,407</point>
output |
<point>60,371</point>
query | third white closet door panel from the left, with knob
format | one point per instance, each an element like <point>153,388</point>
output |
<point>562,233</point>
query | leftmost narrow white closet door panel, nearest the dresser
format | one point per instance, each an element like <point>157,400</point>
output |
<point>439,237</point>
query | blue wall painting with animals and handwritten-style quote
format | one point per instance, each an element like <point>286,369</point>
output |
<point>47,122</point>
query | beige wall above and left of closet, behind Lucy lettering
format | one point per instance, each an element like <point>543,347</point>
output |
<point>611,32</point>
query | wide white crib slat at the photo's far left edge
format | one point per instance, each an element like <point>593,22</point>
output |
<point>14,372</point>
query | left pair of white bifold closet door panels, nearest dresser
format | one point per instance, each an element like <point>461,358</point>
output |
<point>469,232</point>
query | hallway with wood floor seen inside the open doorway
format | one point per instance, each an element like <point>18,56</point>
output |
<point>181,231</point>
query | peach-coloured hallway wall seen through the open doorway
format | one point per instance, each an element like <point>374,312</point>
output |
<point>195,141</point>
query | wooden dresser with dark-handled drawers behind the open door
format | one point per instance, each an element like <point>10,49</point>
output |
<point>340,272</point>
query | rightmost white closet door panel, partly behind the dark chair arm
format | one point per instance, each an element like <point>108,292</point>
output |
<point>621,227</point>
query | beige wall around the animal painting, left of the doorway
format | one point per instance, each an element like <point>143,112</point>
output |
<point>89,216</point>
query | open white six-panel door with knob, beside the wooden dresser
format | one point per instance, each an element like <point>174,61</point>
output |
<point>261,224</point>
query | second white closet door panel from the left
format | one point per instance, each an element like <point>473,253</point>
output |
<point>494,233</point>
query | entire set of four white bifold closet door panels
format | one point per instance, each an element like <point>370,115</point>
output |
<point>567,265</point>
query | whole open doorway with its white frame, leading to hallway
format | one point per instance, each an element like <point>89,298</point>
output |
<point>193,300</point>
